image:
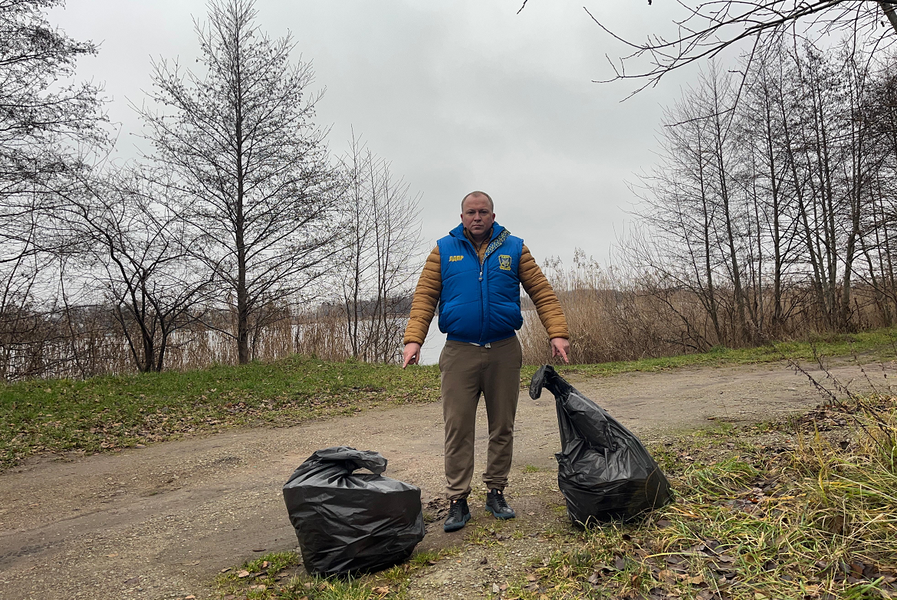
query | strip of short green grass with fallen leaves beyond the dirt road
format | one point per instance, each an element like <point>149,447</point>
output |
<point>109,413</point>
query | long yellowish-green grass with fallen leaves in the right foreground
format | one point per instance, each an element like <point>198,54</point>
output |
<point>805,510</point>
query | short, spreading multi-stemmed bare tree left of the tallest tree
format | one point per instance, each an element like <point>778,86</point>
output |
<point>133,249</point>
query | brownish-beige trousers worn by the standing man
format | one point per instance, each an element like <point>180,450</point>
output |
<point>466,372</point>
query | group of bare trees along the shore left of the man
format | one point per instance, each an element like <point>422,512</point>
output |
<point>235,220</point>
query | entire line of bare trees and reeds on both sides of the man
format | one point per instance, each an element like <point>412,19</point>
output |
<point>769,213</point>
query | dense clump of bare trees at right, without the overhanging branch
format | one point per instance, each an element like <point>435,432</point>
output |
<point>770,212</point>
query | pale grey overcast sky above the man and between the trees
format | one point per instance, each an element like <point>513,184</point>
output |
<point>457,95</point>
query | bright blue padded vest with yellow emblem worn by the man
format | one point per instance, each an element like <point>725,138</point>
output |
<point>480,304</point>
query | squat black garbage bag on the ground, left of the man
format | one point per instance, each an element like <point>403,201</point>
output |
<point>351,522</point>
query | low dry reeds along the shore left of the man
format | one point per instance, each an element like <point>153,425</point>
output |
<point>86,342</point>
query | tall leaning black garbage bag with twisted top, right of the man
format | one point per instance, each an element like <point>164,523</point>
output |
<point>604,471</point>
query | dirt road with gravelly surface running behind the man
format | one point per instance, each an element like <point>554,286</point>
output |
<point>162,521</point>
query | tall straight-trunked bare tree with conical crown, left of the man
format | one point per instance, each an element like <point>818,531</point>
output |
<point>251,175</point>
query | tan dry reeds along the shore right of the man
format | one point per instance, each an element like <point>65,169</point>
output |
<point>617,317</point>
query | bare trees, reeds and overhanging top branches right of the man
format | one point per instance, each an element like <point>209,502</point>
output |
<point>770,211</point>
